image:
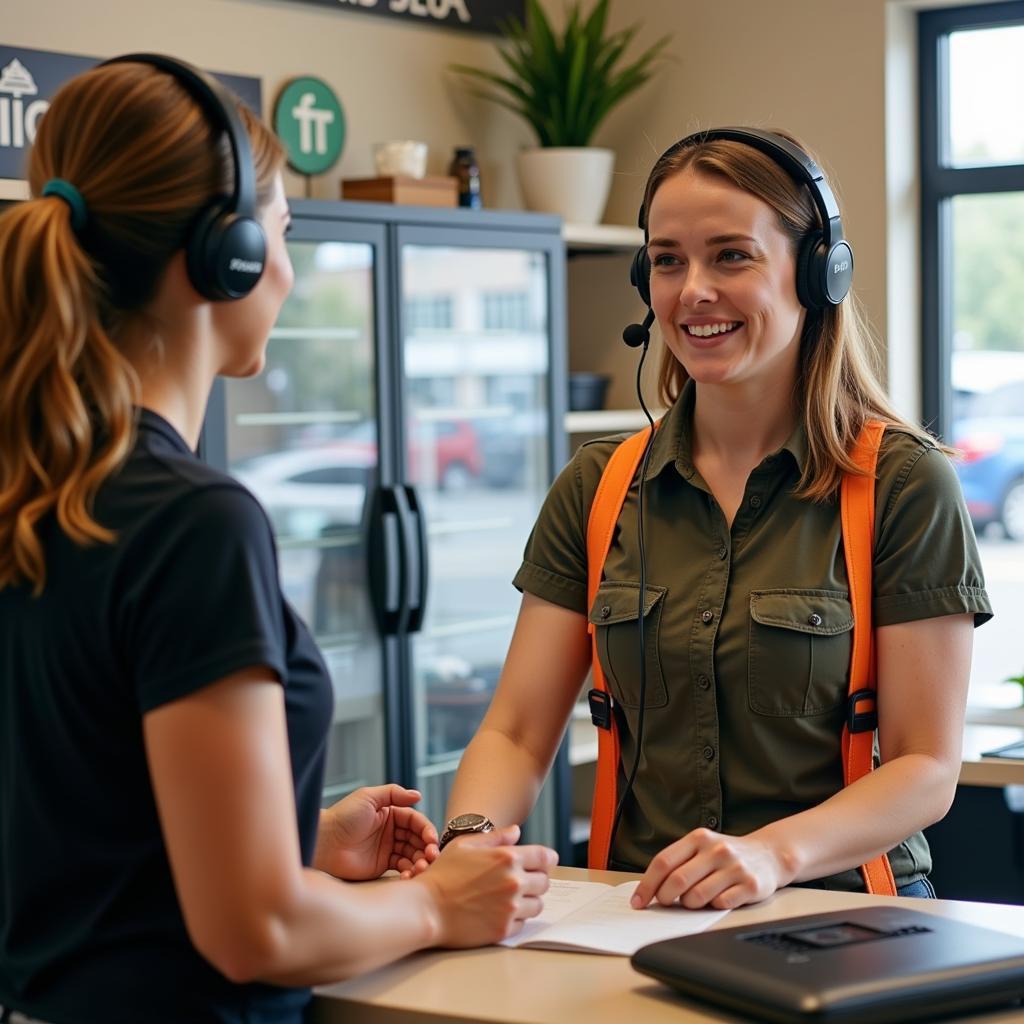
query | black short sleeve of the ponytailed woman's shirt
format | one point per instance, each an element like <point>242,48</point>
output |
<point>202,599</point>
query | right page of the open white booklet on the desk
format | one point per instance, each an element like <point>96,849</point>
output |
<point>610,925</point>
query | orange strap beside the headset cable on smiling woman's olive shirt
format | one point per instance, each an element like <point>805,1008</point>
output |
<point>612,492</point>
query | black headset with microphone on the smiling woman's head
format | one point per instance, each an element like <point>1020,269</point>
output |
<point>825,262</point>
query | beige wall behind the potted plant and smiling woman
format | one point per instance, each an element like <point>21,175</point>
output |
<point>816,67</point>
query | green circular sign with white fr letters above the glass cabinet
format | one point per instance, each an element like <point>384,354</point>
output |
<point>310,121</point>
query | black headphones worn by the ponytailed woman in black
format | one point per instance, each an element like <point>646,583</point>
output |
<point>227,248</point>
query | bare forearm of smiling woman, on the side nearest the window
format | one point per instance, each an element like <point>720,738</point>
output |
<point>865,820</point>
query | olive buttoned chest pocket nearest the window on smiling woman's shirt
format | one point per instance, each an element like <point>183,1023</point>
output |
<point>799,652</point>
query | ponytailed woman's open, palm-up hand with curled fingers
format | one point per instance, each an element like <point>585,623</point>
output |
<point>372,831</point>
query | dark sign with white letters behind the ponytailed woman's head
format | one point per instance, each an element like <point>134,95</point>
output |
<point>28,81</point>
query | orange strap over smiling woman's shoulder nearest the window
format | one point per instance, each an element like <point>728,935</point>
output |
<point>858,511</point>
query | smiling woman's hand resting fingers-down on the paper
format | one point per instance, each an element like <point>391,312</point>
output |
<point>706,869</point>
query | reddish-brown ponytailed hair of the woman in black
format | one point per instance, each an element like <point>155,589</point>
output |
<point>147,161</point>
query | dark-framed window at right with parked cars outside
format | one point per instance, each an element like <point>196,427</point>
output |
<point>972,180</point>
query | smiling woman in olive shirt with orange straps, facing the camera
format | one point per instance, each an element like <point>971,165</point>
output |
<point>740,789</point>
